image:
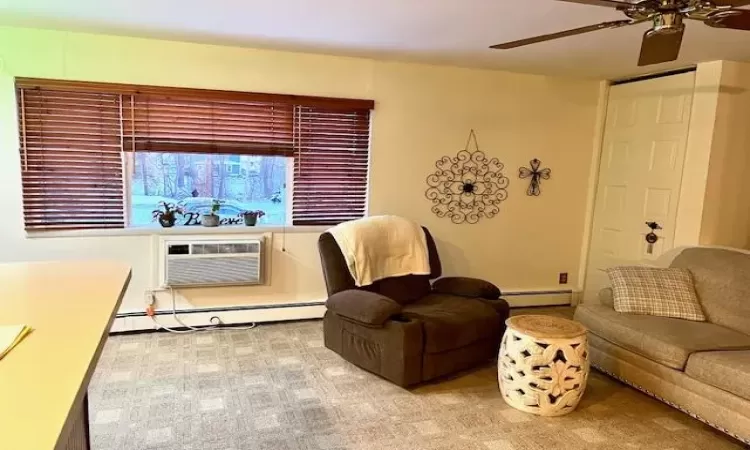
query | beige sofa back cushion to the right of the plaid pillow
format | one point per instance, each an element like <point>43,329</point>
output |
<point>722,282</point>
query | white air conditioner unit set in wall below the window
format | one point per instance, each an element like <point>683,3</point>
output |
<point>211,263</point>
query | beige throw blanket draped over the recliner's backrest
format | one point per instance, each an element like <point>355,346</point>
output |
<point>380,247</point>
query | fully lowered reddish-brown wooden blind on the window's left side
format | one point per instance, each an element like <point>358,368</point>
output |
<point>71,159</point>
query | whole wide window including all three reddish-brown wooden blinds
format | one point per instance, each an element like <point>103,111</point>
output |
<point>103,155</point>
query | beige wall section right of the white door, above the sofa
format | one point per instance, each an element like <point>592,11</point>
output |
<point>713,207</point>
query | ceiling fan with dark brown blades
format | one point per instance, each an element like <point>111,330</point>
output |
<point>661,43</point>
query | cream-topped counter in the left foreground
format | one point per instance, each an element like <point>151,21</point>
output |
<point>43,381</point>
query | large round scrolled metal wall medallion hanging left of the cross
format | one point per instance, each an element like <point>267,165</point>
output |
<point>467,187</point>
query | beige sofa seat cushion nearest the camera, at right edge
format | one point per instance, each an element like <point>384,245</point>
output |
<point>728,370</point>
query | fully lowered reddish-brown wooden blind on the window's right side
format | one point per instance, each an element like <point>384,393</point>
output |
<point>331,165</point>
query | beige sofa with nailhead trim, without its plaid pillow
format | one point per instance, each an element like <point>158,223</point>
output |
<point>701,368</point>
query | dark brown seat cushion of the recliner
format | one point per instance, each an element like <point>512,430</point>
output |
<point>451,322</point>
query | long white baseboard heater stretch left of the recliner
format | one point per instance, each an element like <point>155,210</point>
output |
<point>232,316</point>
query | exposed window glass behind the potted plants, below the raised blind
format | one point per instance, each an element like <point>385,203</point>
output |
<point>192,181</point>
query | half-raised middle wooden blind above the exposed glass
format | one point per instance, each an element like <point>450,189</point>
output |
<point>168,123</point>
